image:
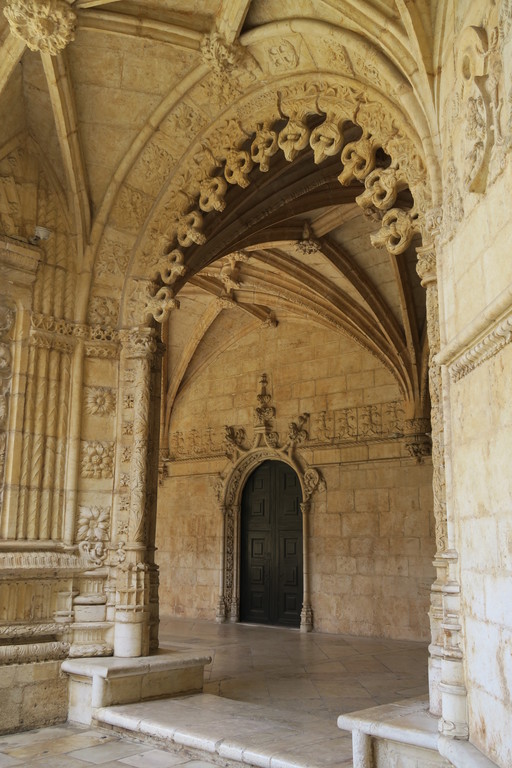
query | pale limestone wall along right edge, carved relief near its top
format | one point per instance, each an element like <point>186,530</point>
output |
<point>475,277</point>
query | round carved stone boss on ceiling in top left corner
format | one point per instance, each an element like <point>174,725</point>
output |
<point>44,25</point>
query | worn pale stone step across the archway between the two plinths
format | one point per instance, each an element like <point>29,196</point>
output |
<point>227,731</point>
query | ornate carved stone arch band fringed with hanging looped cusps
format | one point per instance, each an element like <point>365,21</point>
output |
<point>316,112</point>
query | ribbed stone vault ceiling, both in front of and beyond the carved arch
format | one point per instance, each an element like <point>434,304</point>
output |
<point>294,242</point>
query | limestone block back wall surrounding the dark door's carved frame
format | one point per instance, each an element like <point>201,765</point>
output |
<point>371,531</point>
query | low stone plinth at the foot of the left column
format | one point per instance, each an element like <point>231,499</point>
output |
<point>102,682</point>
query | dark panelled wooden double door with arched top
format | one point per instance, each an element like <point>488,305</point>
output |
<point>271,546</point>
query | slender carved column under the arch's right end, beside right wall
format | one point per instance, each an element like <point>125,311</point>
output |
<point>446,671</point>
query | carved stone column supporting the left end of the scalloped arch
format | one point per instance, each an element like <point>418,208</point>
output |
<point>133,575</point>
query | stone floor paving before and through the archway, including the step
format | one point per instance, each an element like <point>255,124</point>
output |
<point>292,685</point>
